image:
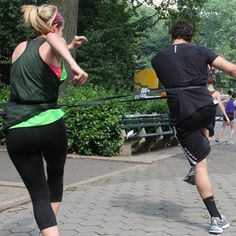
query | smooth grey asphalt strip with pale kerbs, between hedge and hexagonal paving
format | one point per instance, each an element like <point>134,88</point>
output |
<point>10,181</point>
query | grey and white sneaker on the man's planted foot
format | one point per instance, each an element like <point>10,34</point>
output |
<point>218,225</point>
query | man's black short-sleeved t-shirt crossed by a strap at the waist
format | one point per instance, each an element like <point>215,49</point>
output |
<point>184,65</point>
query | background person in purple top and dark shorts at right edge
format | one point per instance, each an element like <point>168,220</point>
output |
<point>230,109</point>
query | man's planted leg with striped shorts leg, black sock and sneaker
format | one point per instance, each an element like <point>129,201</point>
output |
<point>196,148</point>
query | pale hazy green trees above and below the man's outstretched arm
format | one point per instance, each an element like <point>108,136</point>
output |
<point>218,33</point>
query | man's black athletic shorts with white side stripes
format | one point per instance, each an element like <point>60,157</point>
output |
<point>194,144</point>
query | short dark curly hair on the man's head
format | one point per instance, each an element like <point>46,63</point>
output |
<point>182,30</point>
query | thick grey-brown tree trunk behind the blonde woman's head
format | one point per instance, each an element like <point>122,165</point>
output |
<point>69,11</point>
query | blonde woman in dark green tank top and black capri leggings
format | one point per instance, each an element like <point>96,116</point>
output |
<point>35,130</point>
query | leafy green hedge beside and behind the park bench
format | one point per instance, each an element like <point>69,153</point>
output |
<point>95,129</point>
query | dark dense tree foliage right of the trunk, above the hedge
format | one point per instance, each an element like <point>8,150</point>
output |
<point>112,35</point>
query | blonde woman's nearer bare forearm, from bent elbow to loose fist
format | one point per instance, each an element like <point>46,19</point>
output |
<point>59,47</point>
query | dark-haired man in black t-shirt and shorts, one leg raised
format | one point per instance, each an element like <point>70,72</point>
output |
<point>182,69</point>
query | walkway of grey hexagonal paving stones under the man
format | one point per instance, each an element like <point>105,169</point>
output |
<point>138,200</point>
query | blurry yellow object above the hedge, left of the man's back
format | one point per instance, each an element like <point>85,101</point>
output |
<point>146,78</point>
